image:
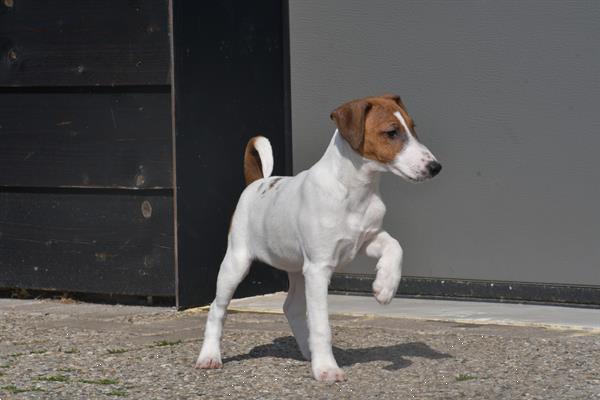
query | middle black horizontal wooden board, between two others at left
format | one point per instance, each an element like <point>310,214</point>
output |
<point>86,140</point>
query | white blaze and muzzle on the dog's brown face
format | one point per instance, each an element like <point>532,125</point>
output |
<point>412,161</point>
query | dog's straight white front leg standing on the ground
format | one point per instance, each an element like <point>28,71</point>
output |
<point>323,364</point>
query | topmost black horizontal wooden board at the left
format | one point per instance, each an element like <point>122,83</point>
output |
<point>84,42</point>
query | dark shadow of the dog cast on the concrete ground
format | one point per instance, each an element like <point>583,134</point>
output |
<point>286,347</point>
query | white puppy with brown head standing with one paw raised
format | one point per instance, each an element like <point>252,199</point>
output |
<point>314,223</point>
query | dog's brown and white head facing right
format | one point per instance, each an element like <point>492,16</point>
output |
<point>380,129</point>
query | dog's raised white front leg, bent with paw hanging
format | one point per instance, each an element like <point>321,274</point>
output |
<point>389,267</point>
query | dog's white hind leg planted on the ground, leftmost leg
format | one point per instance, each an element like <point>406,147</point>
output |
<point>233,269</point>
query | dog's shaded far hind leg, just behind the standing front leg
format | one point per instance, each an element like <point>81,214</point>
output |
<point>295,311</point>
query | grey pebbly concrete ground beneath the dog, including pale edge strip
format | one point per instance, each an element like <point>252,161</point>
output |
<point>419,349</point>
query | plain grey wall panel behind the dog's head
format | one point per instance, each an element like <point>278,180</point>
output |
<point>505,93</point>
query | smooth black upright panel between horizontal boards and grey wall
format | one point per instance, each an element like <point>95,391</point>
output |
<point>230,84</point>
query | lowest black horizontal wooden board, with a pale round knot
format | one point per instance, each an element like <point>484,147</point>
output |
<point>101,242</point>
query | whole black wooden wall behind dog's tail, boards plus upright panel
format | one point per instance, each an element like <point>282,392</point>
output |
<point>97,194</point>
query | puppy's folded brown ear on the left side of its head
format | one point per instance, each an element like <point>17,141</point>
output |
<point>350,120</point>
